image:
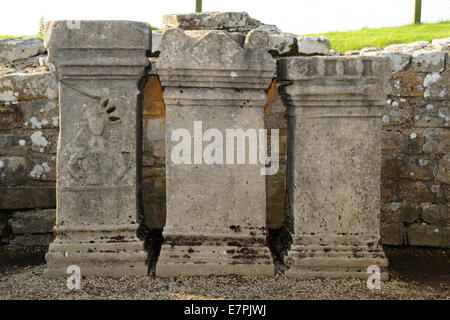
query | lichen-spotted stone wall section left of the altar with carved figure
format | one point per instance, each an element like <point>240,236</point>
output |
<point>28,138</point>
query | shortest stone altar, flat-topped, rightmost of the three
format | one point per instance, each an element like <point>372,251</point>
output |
<point>333,176</point>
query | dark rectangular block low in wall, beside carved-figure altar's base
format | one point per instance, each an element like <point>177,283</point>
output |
<point>33,221</point>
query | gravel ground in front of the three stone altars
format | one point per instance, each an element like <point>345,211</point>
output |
<point>22,278</point>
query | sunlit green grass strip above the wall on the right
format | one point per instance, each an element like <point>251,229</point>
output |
<point>382,37</point>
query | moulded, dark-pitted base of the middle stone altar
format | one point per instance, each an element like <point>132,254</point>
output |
<point>220,252</point>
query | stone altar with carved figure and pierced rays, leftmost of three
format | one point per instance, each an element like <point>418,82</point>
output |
<point>98,65</point>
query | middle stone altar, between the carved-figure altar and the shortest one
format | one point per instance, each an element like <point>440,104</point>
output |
<point>215,212</point>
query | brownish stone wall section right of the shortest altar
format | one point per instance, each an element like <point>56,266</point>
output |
<point>415,168</point>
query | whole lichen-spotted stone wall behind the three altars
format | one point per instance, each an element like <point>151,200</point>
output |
<point>415,138</point>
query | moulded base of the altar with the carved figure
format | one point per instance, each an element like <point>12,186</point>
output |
<point>113,251</point>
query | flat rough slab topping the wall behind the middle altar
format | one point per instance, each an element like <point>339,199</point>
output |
<point>229,21</point>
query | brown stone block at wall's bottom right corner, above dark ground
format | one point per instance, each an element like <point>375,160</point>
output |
<point>428,235</point>
